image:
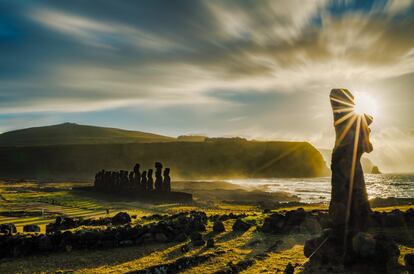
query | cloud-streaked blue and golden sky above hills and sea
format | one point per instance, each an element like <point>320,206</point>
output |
<point>258,69</point>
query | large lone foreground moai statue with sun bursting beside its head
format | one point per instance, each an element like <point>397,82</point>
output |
<point>349,208</point>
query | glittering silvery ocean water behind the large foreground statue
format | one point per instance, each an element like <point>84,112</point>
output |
<point>313,190</point>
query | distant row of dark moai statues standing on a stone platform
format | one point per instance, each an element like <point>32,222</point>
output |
<point>134,180</point>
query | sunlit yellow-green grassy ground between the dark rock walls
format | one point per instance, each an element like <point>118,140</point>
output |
<point>271,253</point>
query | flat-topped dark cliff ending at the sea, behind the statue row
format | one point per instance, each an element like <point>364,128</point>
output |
<point>232,158</point>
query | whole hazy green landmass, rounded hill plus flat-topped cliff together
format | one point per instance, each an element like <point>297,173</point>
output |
<point>72,151</point>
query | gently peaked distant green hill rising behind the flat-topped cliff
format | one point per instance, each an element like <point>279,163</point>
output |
<point>74,134</point>
